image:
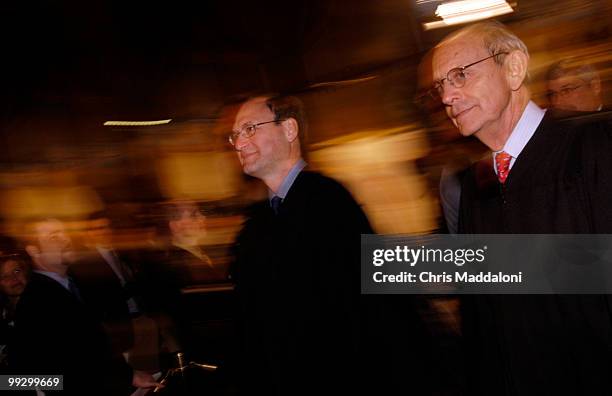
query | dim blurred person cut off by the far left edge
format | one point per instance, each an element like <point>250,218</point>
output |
<point>14,273</point>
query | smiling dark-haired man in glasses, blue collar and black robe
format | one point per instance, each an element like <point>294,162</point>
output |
<point>303,323</point>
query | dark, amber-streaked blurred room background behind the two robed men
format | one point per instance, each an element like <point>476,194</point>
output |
<point>69,66</point>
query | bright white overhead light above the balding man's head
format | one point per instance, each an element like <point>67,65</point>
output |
<point>463,11</point>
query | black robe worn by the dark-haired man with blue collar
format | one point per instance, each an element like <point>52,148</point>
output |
<point>303,320</point>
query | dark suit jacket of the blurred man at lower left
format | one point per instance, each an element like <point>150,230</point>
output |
<point>57,334</point>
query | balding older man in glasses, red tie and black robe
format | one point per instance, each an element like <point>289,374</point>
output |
<point>541,177</point>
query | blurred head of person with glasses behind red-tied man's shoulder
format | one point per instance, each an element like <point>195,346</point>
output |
<point>574,85</point>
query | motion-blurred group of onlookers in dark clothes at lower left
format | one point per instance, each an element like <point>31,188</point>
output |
<point>133,312</point>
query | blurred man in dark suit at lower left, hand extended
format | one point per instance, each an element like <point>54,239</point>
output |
<point>56,332</point>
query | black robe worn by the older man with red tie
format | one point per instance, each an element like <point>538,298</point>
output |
<point>546,344</point>
